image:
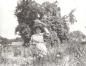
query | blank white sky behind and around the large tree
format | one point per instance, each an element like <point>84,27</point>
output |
<point>8,20</point>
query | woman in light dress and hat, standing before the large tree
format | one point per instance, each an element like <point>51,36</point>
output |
<point>38,40</point>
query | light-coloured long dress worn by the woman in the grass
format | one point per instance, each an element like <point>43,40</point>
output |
<point>38,41</point>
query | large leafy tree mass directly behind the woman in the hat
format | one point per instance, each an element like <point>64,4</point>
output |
<point>49,13</point>
